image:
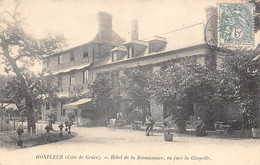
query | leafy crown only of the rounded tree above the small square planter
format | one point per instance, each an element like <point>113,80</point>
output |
<point>179,81</point>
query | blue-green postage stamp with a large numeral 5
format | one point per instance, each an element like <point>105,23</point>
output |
<point>236,25</point>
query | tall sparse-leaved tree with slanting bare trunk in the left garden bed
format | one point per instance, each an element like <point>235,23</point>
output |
<point>20,50</point>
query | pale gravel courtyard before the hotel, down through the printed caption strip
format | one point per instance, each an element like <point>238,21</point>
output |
<point>136,148</point>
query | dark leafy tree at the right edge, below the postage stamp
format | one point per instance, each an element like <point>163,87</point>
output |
<point>239,83</point>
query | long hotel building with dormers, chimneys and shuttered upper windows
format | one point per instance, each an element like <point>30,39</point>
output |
<point>74,69</point>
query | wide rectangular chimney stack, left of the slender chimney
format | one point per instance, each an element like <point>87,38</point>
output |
<point>105,26</point>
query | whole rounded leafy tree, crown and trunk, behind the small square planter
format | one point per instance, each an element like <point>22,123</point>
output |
<point>179,85</point>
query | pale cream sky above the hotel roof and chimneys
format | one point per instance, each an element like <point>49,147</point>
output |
<point>77,19</point>
